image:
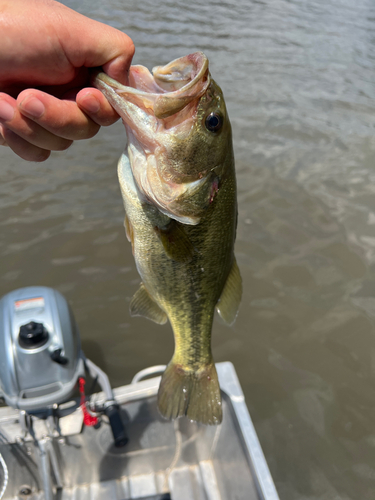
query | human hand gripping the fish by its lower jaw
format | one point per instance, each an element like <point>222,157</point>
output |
<point>45,99</point>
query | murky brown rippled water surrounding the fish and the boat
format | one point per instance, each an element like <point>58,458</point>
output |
<point>299,82</point>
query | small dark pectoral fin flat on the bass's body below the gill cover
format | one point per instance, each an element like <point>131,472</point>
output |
<point>176,242</point>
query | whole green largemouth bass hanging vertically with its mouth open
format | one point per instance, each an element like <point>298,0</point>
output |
<point>178,185</point>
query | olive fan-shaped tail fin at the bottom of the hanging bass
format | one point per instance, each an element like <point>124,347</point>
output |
<point>195,394</point>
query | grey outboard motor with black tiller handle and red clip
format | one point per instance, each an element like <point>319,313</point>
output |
<point>41,362</point>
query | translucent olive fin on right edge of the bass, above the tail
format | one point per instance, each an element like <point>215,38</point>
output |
<point>230,299</point>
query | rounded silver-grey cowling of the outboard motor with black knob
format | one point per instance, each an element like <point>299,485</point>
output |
<point>40,353</point>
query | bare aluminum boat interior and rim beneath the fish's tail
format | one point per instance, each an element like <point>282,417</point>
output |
<point>163,460</point>
